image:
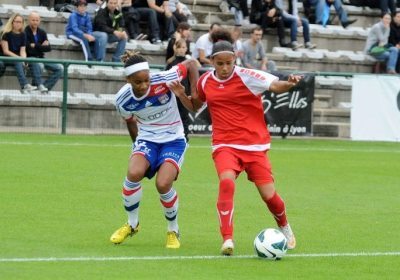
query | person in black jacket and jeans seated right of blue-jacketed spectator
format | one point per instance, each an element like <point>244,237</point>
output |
<point>110,21</point>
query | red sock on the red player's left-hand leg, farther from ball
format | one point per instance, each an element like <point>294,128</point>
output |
<point>225,207</point>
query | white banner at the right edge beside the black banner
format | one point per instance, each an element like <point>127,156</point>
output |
<point>375,112</point>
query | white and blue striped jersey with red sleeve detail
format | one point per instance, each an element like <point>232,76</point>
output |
<point>156,112</point>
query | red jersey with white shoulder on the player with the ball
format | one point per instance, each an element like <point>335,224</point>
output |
<point>236,109</point>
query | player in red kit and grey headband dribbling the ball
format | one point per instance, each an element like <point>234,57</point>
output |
<point>240,138</point>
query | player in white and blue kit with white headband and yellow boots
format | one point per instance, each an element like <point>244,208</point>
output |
<point>149,108</point>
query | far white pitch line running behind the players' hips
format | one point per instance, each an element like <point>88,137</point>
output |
<point>359,150</point>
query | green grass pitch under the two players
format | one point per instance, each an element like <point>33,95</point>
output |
<point>60,200</point>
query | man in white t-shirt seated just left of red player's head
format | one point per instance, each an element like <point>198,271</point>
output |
<point>204,44</point>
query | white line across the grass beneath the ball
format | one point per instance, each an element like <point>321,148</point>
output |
<point>166,258</point>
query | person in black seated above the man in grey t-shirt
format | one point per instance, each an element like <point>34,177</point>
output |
<point>267,14</point>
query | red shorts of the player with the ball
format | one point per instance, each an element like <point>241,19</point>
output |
<point>256,164</point>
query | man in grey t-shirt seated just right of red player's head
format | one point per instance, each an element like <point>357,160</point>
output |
<point>254,54</point>
